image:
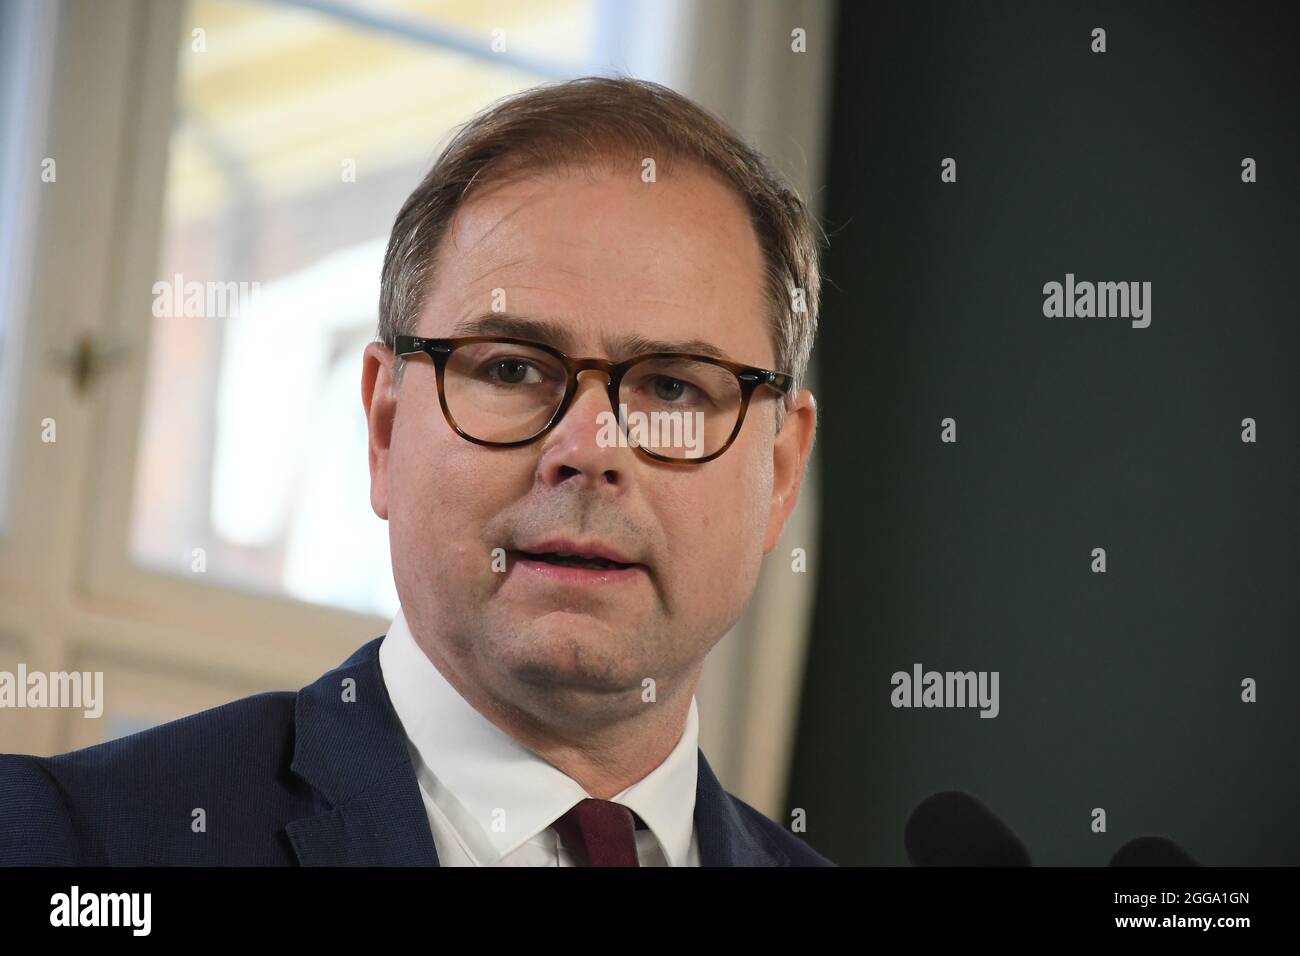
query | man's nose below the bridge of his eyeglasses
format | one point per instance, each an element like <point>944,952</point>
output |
<point>580,449</point>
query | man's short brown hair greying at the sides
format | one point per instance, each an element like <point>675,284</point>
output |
<point>582,123</point>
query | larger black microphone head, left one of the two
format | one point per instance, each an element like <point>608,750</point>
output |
<point>955,829</point>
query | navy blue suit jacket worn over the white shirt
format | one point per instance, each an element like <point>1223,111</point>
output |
<point>283,780</point>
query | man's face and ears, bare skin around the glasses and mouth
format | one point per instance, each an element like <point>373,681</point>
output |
<point>601,256</point>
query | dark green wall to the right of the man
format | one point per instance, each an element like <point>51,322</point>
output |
<point>1117,690</point>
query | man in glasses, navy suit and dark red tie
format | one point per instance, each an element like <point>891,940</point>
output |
<point>586,430</point>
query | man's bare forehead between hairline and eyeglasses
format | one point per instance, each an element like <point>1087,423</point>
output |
<point>606,261</point>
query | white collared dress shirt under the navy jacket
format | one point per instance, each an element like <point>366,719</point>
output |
<point>492,802</point>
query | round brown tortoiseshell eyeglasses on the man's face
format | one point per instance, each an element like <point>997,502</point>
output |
<point>671,406</point>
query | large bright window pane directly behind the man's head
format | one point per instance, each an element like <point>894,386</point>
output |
<point>297,139</point>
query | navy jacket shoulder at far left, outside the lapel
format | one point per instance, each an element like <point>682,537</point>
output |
<point>210,788</point>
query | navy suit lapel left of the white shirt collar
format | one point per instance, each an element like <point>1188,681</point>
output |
<point>350,747</point>
